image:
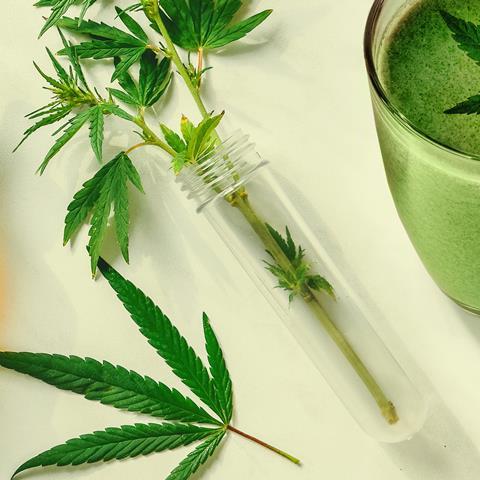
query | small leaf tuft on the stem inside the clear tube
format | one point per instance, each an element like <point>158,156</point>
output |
<point>296,278</point>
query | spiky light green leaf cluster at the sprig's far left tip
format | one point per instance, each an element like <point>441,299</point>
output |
<point>71,95</point>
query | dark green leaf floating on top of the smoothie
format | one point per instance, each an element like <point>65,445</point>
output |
<point>467,36</point>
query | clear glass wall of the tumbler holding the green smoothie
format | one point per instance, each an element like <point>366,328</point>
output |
<point>436,189</point>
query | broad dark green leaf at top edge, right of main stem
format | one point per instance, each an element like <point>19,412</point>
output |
<point>206,24</point>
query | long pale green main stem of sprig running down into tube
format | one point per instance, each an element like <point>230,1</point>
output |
<point>240,200</point>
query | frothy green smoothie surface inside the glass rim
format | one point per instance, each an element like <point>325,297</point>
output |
<point>425,73</point>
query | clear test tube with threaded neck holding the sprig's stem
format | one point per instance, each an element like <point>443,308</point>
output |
<point>336,334</point>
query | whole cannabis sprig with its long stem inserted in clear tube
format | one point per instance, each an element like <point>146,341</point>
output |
<point>199,28</point>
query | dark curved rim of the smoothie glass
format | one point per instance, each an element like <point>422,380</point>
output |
<point>369,36</point>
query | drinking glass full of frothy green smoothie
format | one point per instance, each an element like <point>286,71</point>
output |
<point>432,159</point>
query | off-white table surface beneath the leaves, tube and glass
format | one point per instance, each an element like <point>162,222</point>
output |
<point>303,94</point>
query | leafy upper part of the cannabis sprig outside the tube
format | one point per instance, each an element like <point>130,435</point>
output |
<point>194,24</point>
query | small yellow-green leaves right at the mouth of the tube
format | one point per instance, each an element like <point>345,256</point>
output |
<point>196,144</point>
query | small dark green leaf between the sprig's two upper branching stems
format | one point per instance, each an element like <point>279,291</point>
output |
<point>154,79</point>
